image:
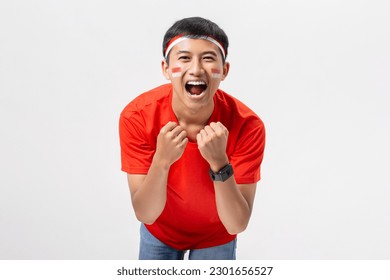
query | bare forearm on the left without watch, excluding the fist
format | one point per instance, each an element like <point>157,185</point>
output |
<point>150,198</point>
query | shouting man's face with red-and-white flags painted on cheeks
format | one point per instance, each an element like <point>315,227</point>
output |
<point>195,69</point>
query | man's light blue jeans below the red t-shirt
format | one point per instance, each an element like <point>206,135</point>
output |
<point>153,249</point>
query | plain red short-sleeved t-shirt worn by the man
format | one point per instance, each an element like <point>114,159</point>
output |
<point>190,219</point>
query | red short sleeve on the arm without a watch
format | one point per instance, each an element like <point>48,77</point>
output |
<point>136,149</point>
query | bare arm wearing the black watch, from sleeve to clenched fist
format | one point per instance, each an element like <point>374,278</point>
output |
<point>234,202</point>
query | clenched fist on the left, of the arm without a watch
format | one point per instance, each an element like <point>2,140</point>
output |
<point>171,142</point>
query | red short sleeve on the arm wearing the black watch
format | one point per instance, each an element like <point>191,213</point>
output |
<point>248,153</point>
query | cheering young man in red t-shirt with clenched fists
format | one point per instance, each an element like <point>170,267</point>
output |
<point>191,151</point>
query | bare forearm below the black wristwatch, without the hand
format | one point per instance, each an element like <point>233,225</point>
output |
<point>233,209</point>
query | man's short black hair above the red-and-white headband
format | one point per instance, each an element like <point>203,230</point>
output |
<point>195,27</point>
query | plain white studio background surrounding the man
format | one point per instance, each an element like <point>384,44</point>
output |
<point>317,72</point>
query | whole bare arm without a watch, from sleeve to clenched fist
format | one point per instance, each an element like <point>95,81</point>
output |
<point>148,192</point>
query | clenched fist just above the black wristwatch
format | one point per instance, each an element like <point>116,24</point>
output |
<point>212,141</point>
